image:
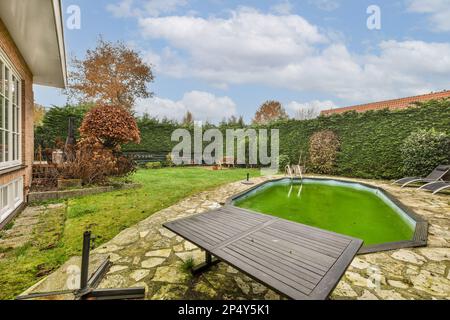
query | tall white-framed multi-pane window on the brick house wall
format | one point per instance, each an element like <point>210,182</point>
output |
<point>10,115</point>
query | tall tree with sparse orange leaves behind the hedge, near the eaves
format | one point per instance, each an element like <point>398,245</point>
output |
<point>111,74</point>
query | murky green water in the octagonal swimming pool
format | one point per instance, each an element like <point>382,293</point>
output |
<point>348,209</point>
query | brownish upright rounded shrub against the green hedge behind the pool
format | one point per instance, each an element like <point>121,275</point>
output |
<point>323,148</point>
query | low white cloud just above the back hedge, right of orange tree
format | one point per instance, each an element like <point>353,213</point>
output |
<point>203,105</point>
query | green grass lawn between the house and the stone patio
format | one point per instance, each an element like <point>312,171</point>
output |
<point>105,215</point>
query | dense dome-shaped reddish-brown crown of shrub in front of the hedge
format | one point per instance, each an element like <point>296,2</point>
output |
<point>112,125</point>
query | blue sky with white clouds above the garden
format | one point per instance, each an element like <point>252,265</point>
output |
<point>219,58</point>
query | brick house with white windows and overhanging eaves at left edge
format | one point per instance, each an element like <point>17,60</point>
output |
<point>31,52</point>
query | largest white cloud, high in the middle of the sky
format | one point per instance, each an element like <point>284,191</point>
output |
<point>247,43</point>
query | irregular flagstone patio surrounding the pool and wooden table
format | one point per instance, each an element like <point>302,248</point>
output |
<point>150,256</point>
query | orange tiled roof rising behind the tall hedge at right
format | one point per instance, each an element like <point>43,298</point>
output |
<point>391,104</point>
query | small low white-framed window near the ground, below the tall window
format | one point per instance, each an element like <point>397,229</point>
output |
<point>11,197</point>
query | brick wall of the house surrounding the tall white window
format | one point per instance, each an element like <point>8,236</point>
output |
<point>11,51</point>
